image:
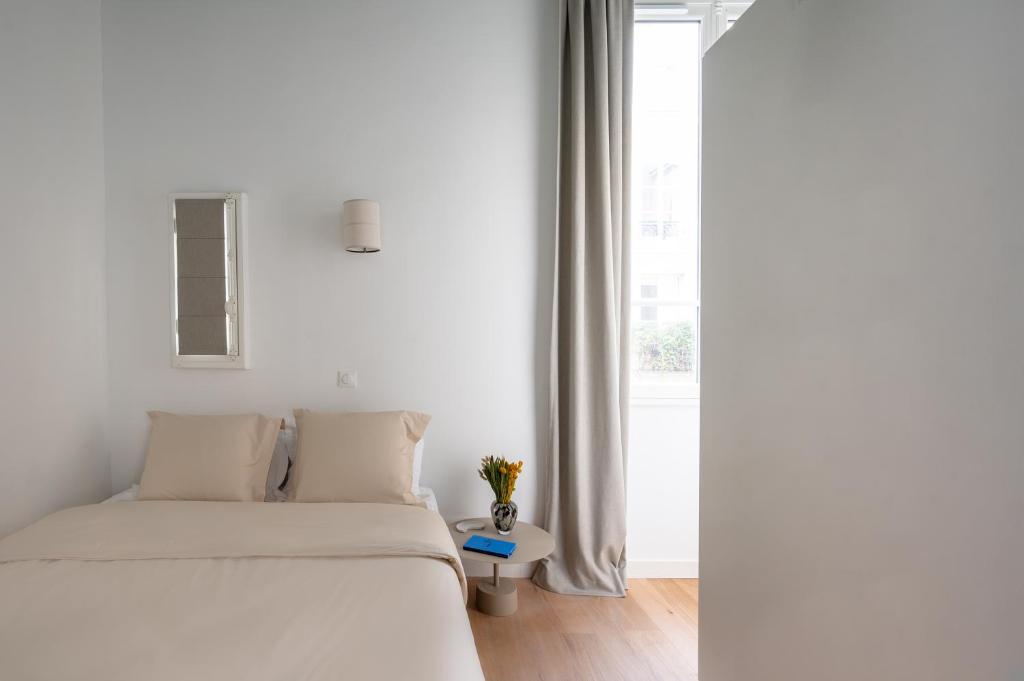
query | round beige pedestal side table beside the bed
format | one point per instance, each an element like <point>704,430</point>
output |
<point>497,598</point>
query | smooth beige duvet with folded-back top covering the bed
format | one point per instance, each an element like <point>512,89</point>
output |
<point>230,590</point>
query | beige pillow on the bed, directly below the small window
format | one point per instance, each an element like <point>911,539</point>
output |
<point>208,458</point>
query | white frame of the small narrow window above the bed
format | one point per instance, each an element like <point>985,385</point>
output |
<point>238,286</point>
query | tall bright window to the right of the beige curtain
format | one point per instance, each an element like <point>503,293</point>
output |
<point>669,42</point>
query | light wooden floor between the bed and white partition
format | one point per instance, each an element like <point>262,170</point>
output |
<point>651,634</point>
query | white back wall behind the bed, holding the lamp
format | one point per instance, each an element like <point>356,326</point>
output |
<point>445,112</point>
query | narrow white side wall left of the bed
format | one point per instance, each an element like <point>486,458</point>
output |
<point>53,350</point>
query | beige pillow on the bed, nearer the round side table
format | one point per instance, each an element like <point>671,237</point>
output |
<point>357,457</point>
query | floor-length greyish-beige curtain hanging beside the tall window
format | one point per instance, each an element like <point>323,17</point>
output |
<point>586,508</point>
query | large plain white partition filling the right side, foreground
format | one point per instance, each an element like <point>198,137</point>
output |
<point>864,376</point>
